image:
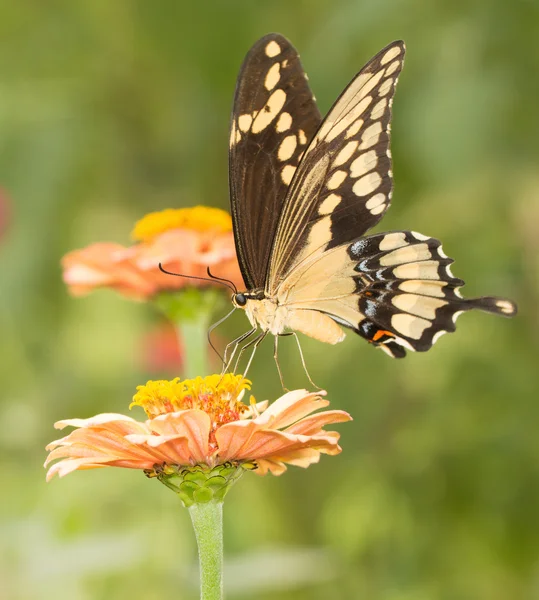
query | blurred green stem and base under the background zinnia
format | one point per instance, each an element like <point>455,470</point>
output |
<point>191,310</point>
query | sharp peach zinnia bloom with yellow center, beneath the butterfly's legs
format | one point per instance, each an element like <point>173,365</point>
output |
<point>201,423</point>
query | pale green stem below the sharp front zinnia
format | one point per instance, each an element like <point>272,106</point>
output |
<point>207,521</point>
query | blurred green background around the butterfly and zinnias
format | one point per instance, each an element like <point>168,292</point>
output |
<point>109,110</point>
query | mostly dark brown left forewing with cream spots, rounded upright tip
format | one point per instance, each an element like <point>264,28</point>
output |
<point>274,117</point>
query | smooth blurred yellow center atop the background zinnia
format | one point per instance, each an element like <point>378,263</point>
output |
<point>198,218</point>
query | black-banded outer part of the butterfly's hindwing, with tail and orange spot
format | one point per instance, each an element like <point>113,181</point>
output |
<point>407,296</point>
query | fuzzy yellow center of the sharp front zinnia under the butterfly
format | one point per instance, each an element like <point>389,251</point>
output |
<point>216,395</point>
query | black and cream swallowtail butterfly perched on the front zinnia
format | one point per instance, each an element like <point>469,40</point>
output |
<point>304,192</point>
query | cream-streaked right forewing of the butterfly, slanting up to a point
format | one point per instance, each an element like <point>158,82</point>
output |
<point>343,184</point>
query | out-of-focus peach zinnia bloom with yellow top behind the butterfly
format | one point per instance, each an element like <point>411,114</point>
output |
<point>184,240</point>
